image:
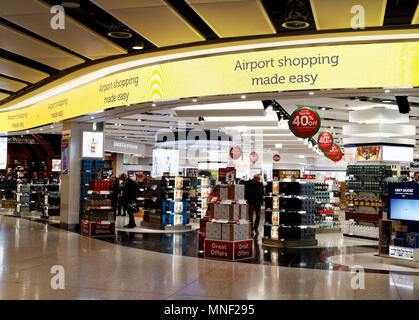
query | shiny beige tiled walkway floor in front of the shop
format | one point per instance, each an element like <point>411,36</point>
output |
<point>96,269</point>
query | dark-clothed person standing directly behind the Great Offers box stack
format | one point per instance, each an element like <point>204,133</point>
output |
<point>254,197</point>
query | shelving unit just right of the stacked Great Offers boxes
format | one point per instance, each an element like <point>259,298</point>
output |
<point>289,215</point>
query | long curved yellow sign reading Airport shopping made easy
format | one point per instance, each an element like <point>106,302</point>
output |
<point>341,66</point>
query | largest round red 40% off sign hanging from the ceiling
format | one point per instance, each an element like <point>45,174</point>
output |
<point>304,122</point>
